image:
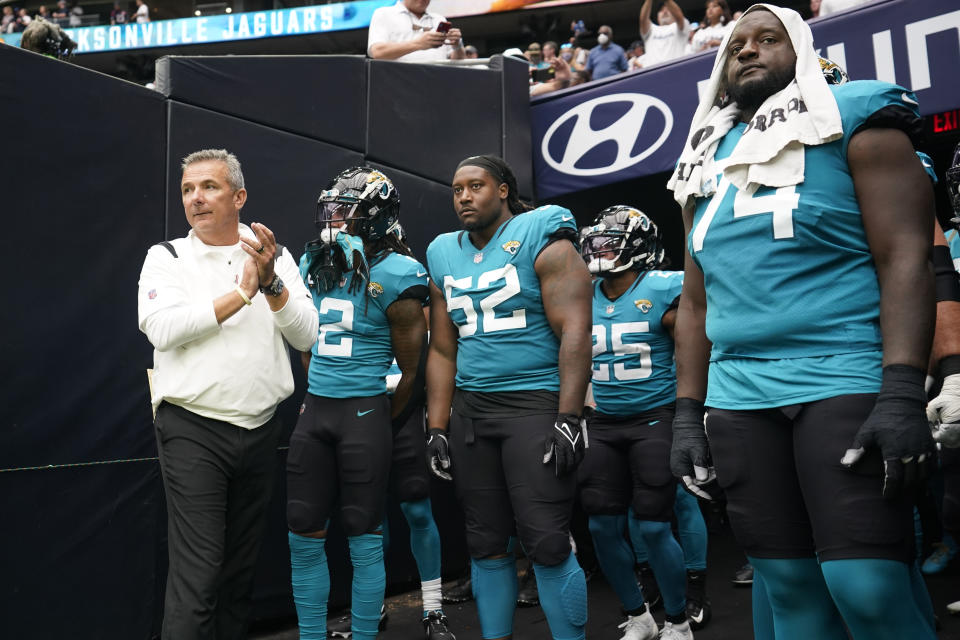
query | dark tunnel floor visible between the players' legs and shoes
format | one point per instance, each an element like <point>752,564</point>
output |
<point>731,607</point>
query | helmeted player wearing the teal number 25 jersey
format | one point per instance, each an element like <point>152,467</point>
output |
<point>627,467</point>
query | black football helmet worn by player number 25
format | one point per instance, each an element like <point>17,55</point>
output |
<point>621,238</point>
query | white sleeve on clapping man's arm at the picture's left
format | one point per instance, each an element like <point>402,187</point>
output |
<point>165,311</point>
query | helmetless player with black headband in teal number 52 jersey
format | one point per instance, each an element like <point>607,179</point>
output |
<point>507,370</point>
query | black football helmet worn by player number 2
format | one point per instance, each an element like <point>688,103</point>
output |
<point>362,198</point>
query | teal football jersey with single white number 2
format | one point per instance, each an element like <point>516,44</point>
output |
<point>354,351</point>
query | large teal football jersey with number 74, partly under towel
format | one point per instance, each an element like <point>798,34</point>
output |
<point>792,293</point>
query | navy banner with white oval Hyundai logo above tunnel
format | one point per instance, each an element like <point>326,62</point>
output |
<point>635,124</point>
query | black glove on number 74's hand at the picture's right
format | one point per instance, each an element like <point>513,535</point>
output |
<point>898,427</point>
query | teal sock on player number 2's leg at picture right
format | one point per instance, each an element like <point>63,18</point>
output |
<point>369,582</point>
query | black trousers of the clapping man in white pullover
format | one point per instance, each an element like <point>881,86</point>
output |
<point>218,480</point>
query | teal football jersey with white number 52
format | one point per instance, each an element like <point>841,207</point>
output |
<point>493,297</point>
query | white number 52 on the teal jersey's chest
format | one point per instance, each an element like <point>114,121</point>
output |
<point>511,287</point>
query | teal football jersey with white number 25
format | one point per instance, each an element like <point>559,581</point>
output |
<point>633,366</point>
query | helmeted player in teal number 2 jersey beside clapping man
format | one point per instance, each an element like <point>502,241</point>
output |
<point>370,294</point>
